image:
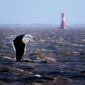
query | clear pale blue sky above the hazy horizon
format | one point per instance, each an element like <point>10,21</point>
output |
<point>41,11</point>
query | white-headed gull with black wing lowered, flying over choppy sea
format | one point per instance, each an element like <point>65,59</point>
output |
<point>19,45</point>
